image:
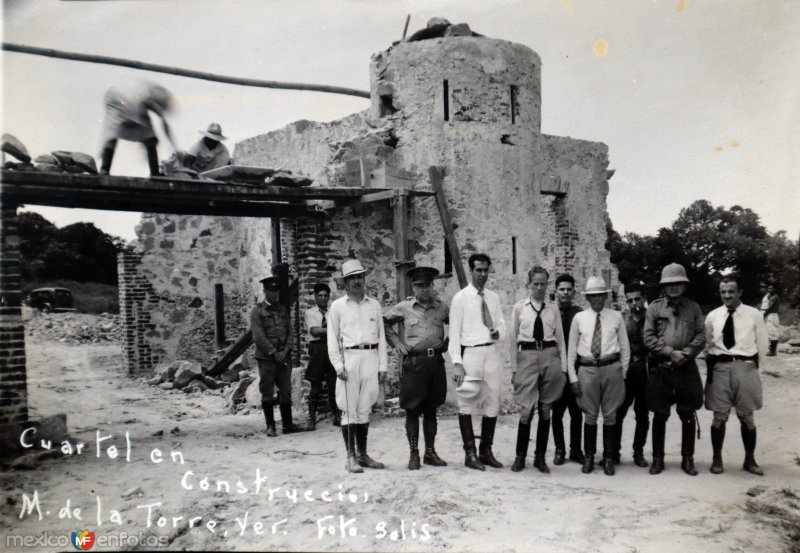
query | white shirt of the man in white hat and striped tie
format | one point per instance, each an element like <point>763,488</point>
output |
<point>614,338</point>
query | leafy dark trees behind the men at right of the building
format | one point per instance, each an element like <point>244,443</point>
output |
<point>711,241</point>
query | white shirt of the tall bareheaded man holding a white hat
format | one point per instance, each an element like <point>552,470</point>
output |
<point>466,320</point>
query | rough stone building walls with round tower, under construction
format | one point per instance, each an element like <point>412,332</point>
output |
<point>483,126</point>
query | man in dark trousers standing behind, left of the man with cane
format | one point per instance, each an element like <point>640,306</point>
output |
<point>319,368</point>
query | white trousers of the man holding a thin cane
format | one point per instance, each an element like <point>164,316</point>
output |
<point>356,396</point>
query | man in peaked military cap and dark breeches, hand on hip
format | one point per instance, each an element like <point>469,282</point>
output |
<point>423,384</point>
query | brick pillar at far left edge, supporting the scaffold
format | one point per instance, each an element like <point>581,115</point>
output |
<point>13,380</point>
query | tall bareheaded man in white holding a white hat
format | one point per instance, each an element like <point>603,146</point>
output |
<point>476,324</point>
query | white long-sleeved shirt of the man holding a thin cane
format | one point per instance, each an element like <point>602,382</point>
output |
<point>355,324</point>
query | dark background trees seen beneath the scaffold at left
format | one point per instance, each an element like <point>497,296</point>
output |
<point>79,252</point>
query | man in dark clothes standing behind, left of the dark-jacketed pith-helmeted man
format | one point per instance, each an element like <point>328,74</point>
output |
<point>636,381</point>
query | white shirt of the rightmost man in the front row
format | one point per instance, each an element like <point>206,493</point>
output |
<point>749,331</point>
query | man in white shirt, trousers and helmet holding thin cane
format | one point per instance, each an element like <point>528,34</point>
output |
<point>357,349</point>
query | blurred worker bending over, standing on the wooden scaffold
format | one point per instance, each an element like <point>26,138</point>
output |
<point>127,117</point>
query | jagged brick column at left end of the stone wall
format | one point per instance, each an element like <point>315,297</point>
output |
<point>135,293</point>
